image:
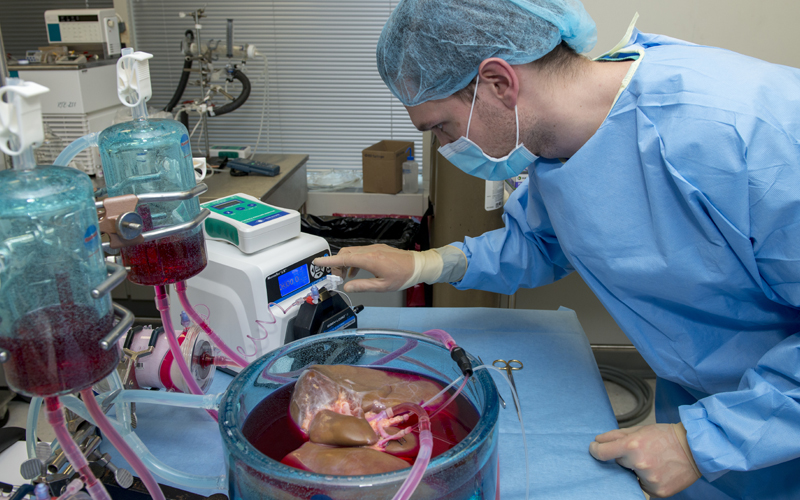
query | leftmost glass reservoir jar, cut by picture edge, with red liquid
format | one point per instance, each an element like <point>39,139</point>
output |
<point>50,260</point>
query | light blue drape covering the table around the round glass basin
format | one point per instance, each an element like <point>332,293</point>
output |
<point>563,400</point>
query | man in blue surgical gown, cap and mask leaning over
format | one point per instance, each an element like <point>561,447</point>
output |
<point>667,175</point>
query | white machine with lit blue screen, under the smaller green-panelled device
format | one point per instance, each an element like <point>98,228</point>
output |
<point>237,288</point>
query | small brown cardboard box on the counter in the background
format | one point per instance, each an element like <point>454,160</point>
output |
<point>382,164</point>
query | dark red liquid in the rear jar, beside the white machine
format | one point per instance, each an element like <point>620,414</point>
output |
<point>168,260</point>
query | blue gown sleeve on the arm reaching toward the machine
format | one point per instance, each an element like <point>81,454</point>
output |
<point>524,253</point>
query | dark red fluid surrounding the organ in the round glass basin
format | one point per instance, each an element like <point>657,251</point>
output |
<point>270,429</point>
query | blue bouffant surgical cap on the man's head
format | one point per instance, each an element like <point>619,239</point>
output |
<point>430,49</point>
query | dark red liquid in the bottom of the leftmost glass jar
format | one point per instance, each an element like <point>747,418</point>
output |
<point>56,350</point>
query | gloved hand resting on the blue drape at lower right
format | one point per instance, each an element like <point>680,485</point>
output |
<point>659,454</point>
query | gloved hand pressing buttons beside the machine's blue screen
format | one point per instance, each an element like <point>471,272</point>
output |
<point>391,267</point>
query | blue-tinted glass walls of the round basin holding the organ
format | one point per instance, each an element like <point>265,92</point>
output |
<point>469,470</point>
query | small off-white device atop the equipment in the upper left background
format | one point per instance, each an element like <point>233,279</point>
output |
<point>84,26</point>
